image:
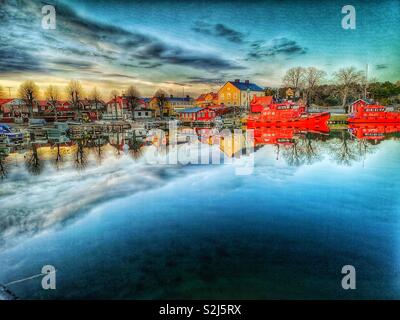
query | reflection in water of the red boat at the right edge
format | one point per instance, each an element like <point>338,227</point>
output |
<point>373,131</point>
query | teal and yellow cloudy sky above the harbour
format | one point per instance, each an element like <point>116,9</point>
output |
<point>190,47</point>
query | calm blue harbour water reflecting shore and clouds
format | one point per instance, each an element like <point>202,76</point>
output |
<point>116,226</point>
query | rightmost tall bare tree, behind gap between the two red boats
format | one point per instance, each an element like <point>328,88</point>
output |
<point>348,79</point>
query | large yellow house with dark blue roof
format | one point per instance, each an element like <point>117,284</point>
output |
<point>236,93</point>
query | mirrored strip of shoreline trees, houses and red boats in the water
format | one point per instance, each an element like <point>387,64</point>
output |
<point>295,145</point>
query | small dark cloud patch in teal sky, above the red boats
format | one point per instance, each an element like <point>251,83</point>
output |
<point>278,46</point>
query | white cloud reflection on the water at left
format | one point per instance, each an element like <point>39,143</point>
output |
<point>30,204</point>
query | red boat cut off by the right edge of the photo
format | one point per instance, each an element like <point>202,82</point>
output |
<point>363,112</point>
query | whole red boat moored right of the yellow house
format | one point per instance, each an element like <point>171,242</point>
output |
<point>289,115</point>
